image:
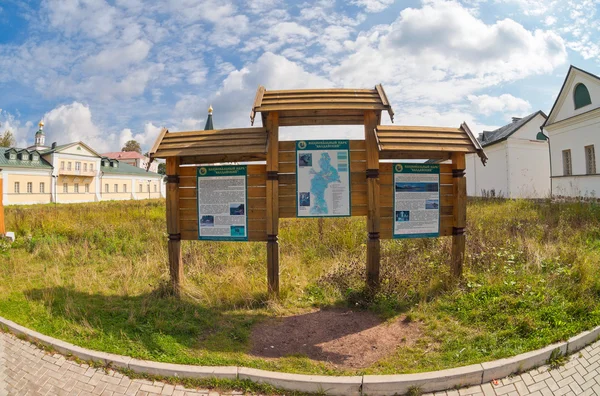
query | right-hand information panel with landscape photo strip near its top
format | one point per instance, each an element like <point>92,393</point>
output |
<point>416,200</point>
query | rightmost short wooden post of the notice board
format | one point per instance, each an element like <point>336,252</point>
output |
<point>459,184</point>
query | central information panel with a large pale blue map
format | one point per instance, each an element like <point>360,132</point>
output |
<point>323,178</point>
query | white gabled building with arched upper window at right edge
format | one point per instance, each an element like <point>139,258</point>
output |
<point>573,127</point>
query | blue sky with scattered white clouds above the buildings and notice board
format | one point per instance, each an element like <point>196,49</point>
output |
<point>105,71</point>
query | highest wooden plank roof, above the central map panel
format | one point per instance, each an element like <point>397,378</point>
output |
<point>321,106</point>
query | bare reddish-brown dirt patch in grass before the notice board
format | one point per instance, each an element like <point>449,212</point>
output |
<point>347,339</point>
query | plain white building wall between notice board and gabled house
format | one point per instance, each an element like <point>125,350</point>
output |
<point>519,161</point>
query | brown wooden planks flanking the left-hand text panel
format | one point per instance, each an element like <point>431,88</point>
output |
<point>257,203</point>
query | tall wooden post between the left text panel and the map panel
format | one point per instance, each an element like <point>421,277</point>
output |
<point>273,202</point>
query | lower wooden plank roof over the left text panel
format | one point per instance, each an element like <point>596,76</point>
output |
<point>219,145</point>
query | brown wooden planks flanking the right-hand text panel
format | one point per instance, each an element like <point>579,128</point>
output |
<point>387,199</point>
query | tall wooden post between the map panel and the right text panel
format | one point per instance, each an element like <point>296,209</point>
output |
<point>373,212</point>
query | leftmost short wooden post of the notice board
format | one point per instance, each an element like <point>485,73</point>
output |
<point>173,225</point>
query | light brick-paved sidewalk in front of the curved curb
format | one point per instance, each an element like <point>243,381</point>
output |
<point>26,370</point>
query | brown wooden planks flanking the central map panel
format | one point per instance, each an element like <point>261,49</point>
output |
<point>287,178</point>
